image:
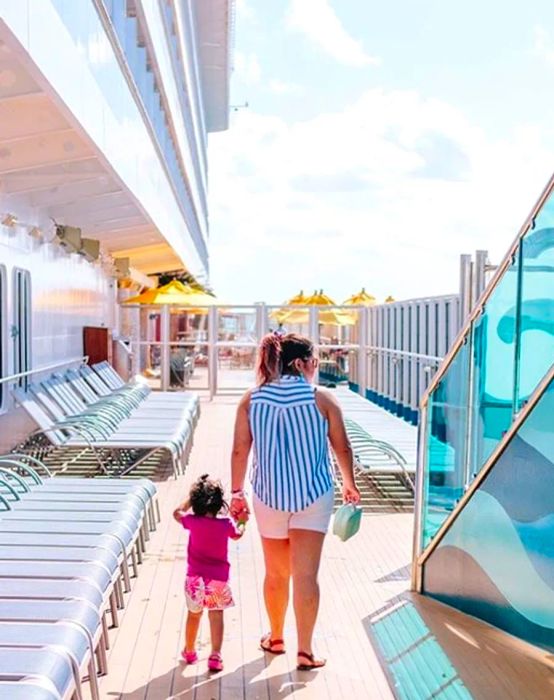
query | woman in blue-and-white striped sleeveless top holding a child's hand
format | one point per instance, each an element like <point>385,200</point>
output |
<point>290,424</point>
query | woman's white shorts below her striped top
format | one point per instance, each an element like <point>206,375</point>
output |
<point>275,524</point>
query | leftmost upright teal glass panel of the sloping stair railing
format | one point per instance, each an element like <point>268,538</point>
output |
<point>445,473</point>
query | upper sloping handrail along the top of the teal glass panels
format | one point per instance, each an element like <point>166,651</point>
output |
<point>487,292</point>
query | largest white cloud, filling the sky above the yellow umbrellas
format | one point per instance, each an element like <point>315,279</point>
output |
<point>385,193</point>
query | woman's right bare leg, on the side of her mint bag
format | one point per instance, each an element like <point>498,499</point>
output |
<point>305,556</point>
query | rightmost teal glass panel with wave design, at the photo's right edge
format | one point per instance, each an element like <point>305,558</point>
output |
<point>535,326</point>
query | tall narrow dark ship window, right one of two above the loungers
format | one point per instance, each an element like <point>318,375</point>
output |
<point>21,329</point>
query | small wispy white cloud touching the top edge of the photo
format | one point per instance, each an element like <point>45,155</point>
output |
<point>317,20</point>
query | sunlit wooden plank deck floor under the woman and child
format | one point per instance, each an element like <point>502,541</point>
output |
<point>380,641</point>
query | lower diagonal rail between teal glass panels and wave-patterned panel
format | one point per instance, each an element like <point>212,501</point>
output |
<point>487,467</point>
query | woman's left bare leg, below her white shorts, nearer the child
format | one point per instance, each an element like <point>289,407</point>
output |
<point>276,585</point>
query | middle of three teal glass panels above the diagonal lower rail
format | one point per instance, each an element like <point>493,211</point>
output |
<point>493,371</point>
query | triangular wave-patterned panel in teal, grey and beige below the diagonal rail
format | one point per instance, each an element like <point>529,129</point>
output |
<point>503,538</point>
